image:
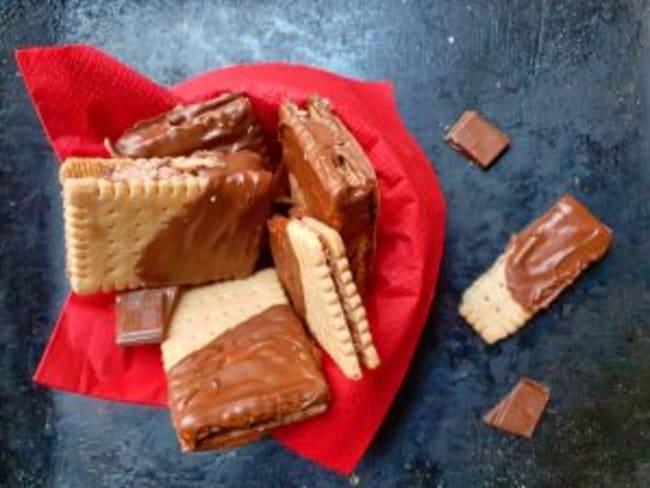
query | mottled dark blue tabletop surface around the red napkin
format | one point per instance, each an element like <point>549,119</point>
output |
<point>568,80</point>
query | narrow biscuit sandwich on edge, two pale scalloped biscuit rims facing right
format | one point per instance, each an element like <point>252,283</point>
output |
<point>313,267</point>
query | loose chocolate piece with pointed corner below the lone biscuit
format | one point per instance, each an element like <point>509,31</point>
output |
<point>519,412</point>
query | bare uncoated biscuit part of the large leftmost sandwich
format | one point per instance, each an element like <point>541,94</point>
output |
<point>109,223</point>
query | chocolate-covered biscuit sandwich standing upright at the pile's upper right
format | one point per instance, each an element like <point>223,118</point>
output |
<point>334,178</point>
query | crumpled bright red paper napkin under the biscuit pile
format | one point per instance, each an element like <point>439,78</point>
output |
<point>83,95</point>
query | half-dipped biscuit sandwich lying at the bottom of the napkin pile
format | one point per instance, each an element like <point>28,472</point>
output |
<point>238,363</point>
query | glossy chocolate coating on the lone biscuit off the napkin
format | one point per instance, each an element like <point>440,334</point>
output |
<point>551,253</point>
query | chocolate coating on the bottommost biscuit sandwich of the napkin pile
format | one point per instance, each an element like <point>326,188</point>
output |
<point>255,376</point>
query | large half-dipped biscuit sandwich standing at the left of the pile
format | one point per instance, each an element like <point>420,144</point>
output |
<point>163,221</point>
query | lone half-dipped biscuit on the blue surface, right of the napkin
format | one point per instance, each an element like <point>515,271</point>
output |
<point>538,264</point>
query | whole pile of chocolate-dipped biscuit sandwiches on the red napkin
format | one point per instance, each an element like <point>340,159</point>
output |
<point>183,223</point>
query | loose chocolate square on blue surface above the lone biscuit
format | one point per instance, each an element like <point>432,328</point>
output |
<point>477,139</point>
